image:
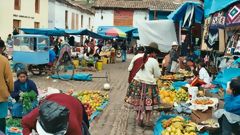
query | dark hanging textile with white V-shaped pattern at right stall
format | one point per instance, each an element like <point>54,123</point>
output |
<point>212,38</point>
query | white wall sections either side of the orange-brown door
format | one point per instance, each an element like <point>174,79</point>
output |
<point>108,17</point>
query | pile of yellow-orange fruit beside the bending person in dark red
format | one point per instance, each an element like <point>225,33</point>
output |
<point>93,101</point>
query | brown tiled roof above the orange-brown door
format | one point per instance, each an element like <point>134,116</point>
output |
<point>163,5</point>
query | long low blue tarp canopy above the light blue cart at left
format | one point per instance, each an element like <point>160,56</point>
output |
<point>62,32</point>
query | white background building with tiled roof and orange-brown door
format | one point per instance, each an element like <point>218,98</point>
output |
<point>129,12</point>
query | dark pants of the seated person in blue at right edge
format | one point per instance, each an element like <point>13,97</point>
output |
<point>227,128</point>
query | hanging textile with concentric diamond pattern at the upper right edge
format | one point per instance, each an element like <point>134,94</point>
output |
<point>233,15</point>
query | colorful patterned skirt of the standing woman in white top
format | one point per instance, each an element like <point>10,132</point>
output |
<point>143,95</point>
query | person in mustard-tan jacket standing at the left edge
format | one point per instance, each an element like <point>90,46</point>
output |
<point>6,86</point>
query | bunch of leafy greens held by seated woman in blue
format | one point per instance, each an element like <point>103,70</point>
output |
<point>27,98</point>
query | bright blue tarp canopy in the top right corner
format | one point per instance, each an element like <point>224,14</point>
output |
<point>212,6</point>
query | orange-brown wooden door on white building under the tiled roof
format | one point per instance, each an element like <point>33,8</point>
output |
<point>123,17</point>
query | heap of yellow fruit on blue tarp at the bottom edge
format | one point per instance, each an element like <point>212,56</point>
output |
<point>178,126</point>
